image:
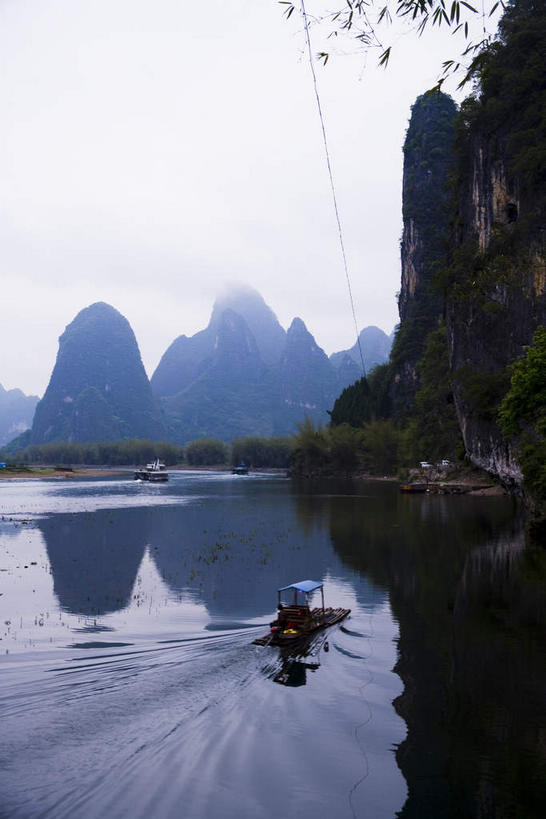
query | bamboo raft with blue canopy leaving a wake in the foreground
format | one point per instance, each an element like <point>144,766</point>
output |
<point>296,620</point>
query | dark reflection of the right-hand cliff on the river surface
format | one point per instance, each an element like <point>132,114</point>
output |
<point>470,600</point>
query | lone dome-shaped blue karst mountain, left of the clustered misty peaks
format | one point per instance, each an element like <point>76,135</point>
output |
<point>98,390</point>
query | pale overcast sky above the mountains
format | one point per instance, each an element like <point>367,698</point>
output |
<point>152,151</point>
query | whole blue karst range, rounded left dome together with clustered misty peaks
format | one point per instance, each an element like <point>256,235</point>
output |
<point>242,375</point>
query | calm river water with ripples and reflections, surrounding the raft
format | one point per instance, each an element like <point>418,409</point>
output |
<point>129,685</point>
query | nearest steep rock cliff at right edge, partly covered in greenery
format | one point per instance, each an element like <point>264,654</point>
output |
<point>497,286</point>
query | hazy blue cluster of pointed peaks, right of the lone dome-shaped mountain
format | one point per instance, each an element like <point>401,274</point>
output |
<point>245,375</point>
